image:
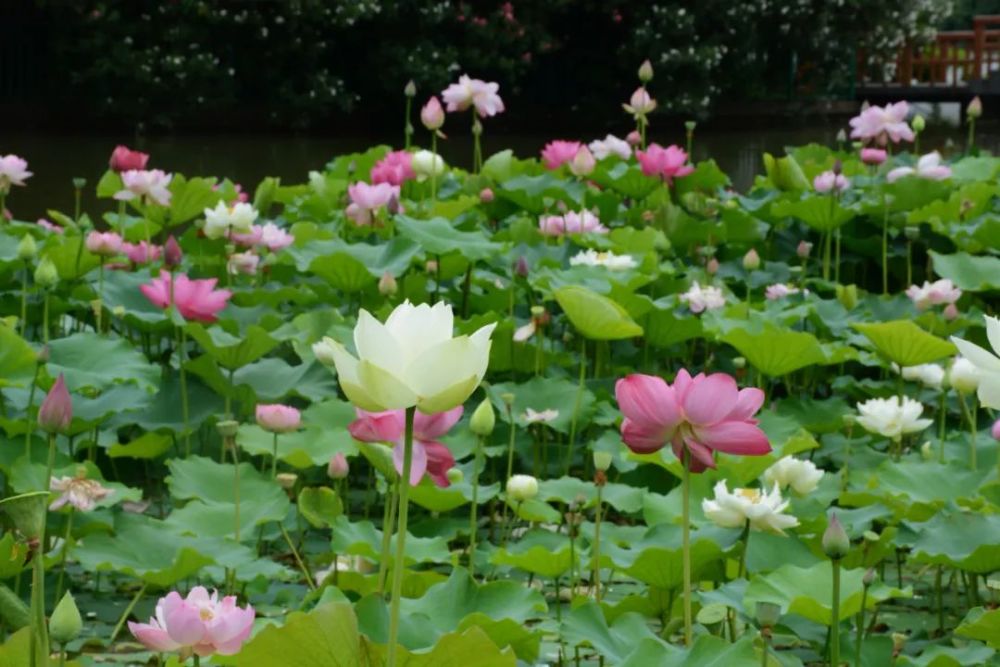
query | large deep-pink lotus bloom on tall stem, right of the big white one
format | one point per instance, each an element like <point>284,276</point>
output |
<point>696,416</point>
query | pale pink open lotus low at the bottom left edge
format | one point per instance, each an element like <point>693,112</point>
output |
<point>198,624</point>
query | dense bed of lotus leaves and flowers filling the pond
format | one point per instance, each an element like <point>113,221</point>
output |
<point>592,408</point>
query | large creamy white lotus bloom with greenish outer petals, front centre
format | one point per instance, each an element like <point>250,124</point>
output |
<point>411,360</point>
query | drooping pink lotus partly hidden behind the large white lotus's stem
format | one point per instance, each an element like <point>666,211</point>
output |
<point>429,455</point>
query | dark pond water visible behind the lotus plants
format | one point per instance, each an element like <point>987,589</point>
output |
<point>247,158</point>
